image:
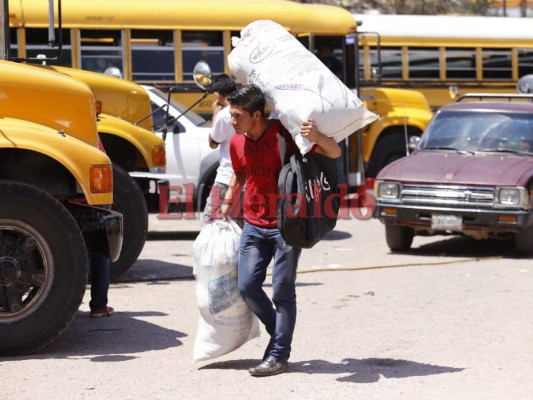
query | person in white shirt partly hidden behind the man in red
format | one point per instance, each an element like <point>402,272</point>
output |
<point>220,136</point>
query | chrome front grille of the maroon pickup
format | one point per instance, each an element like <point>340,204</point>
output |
<point>444,195</point>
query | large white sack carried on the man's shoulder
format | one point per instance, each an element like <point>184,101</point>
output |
<point>297,85</point>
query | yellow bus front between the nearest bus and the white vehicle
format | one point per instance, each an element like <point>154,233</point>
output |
<point>125,129</point>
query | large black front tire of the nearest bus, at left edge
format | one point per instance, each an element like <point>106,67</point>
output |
<point>43,268</point>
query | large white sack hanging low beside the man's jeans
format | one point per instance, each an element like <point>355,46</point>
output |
<point>225,322</point>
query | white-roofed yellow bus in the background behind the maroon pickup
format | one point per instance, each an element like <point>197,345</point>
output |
<point>445,56</point>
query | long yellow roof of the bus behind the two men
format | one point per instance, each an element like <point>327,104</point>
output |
<point>185,15</point>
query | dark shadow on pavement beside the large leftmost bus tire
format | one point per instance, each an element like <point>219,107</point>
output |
<point>112,339</point>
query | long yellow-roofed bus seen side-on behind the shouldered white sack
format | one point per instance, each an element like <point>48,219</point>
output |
<point>160,41</point>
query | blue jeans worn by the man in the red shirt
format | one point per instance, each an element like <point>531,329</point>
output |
<point>257,248</point>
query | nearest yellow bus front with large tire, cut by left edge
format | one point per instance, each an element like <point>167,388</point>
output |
<point>56,186</point>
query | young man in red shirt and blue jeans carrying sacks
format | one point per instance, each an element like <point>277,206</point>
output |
<point>256,162</point>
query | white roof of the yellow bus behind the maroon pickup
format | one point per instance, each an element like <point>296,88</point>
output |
<point>398,29</point>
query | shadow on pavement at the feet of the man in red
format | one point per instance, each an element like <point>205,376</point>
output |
<point>368,370</point>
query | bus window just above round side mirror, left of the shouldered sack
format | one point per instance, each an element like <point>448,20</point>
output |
<point>202,45</point>
